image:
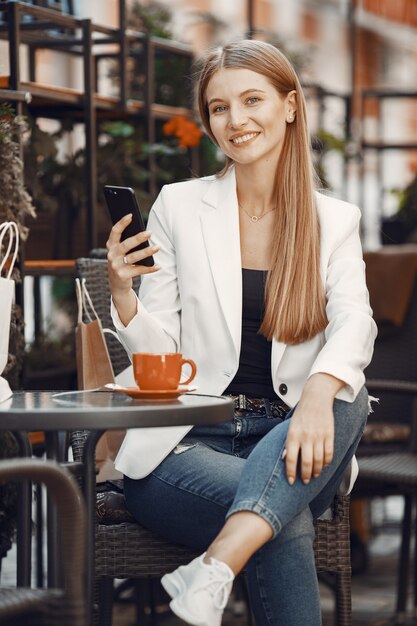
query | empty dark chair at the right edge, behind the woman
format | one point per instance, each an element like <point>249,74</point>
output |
<point>387,455</point>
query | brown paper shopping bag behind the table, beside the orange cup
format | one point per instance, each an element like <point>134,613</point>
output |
<point>94,369</point>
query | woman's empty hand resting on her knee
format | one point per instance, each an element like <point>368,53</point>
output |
<point>310,436</point>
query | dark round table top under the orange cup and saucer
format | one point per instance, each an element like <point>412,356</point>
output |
<point>103,410</point>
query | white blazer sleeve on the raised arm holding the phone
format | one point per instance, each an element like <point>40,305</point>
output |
<point>156,325</point>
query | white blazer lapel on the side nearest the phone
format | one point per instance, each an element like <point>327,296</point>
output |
<point>220,226</point>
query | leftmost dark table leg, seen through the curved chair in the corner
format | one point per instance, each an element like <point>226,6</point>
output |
<point>24,518</point>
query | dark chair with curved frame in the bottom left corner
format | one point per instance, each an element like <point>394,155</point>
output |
<point>20,606</point>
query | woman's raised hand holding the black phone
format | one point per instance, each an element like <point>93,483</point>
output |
<point>121,268</point>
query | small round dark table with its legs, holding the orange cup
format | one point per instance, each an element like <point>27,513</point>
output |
<point>96,411</point>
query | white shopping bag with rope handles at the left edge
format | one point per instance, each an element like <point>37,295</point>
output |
<point>9,234</point>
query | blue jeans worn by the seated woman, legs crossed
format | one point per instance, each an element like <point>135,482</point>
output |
<point>218,470</point>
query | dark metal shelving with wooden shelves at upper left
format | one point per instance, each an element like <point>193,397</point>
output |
<point>41,28</point>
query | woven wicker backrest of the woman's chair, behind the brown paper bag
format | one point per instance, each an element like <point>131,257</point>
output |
<point>95,273</point>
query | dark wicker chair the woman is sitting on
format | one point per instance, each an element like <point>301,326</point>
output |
<point>126,550</point>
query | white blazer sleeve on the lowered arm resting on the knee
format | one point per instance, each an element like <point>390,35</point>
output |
<point>351,331</point>
